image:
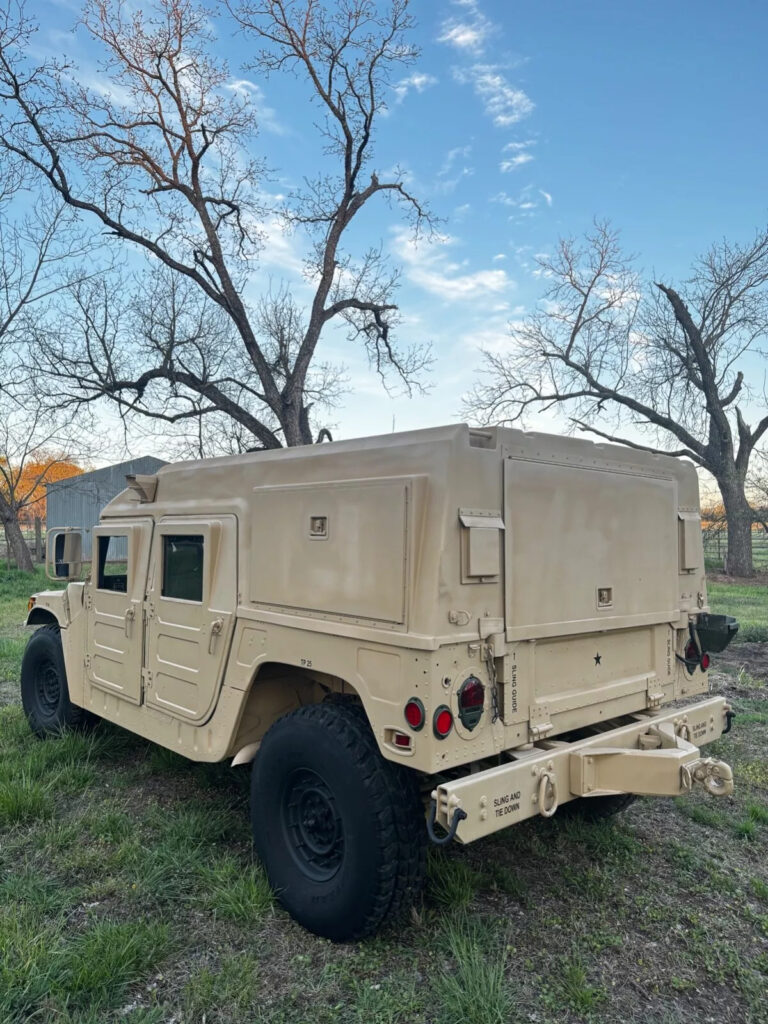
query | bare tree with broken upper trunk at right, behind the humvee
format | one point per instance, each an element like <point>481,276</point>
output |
<point>670,363</point>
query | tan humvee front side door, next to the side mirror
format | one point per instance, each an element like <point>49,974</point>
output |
<point>114,600</point>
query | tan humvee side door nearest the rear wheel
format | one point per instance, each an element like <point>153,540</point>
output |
<point>190,614</point>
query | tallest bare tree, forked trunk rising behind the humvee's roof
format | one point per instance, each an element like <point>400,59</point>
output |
<point>159,158</point>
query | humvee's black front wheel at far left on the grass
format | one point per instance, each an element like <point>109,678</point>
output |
<point>46,696</point>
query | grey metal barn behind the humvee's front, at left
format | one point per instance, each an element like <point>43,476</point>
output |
<point>78,501</point>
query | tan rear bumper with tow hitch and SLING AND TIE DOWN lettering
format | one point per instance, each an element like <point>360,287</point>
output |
<point>657,755</point>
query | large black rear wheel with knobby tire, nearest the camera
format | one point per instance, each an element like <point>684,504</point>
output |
<point>339,830</point>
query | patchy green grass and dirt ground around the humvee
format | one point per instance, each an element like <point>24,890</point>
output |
<point>129,892</point>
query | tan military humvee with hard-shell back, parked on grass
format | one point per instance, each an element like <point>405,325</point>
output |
<point>439,633</point>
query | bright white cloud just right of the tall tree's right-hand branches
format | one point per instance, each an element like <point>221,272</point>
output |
<point>429,266</point>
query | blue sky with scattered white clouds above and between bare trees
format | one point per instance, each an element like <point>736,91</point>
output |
<point>521,122</point>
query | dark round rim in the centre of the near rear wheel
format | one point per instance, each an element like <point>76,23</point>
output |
<point>313,826</point>
